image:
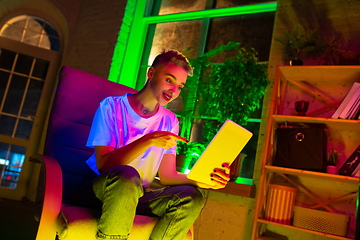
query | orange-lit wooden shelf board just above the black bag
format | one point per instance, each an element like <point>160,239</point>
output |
<point>330,123</point>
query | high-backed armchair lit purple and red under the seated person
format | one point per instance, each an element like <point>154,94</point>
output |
<point>63,162</point>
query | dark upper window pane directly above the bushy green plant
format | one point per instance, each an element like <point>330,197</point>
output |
<point>252,31</point>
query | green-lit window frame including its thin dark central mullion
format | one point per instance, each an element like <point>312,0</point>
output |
<point>138,27</point>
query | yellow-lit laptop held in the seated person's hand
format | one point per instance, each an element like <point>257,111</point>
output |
<point>223,148</point>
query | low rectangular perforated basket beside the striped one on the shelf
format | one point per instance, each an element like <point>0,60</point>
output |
<point>320,221</point>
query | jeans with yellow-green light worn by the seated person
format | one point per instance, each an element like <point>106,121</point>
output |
<point>120,195</point>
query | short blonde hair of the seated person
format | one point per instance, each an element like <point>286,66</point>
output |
<point>174,57</point>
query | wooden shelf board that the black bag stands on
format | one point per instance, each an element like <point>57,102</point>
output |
<point>324,176</point>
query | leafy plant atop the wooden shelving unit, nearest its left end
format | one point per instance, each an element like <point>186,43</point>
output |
<point>300,44</point>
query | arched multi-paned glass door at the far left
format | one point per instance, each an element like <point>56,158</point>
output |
<point>29,45</point>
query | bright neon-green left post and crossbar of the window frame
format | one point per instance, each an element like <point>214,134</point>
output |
<point>129,48</point>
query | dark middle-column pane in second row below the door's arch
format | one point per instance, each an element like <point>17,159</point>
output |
<point>15,94</point>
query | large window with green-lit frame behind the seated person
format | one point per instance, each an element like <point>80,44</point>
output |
<point>194,26</point>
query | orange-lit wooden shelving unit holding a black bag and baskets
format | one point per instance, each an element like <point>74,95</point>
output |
<point>327,85</point>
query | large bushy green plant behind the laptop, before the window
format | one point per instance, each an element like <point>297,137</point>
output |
<point>235,90</point>
